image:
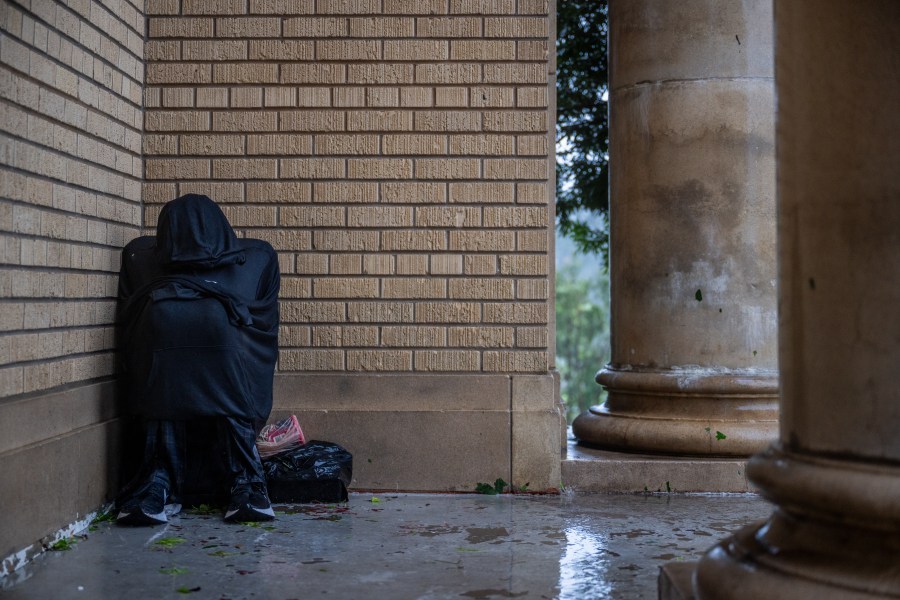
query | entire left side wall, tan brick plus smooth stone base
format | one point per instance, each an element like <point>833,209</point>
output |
<point>71,78</point>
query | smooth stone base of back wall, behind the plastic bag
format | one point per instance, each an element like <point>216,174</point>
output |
<point>422,432</point>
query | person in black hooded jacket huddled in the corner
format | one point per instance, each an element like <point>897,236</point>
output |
<point>198,317</point>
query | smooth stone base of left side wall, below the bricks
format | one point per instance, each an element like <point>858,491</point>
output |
<point>59,460</point>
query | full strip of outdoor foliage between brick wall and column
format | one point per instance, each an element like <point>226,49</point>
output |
<point>582,205</point>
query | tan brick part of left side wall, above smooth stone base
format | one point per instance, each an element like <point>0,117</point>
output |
<point>71,78</point>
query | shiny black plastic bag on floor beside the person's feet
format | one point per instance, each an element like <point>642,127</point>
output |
<point>315,472</point>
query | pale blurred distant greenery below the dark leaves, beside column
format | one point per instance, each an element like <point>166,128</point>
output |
<point>582,329</point>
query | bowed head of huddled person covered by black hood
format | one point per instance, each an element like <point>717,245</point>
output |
<point>193,232</point>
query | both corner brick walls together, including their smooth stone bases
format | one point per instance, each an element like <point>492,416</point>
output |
<point>397,154</point>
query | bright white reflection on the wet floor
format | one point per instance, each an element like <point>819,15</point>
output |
<point>583,565</point>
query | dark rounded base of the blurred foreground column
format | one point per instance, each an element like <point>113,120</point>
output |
<point>835,535</point>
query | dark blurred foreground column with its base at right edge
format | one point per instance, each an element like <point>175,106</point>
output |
<point>835,473</point>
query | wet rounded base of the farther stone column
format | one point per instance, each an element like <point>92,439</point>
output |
<point>685,411</point>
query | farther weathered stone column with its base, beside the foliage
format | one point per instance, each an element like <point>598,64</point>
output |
<point>694,350</point>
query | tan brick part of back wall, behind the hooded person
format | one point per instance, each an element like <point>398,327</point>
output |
<point>397,154</point>
